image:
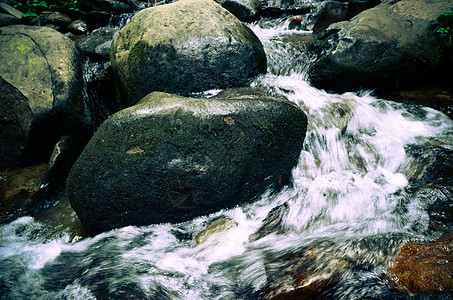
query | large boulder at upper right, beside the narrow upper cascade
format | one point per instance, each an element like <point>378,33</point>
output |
<point>393,44</point>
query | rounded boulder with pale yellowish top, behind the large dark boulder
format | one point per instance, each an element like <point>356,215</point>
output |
<point>183,47</point>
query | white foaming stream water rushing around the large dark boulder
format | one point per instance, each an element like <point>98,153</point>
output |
<point>349,206</point>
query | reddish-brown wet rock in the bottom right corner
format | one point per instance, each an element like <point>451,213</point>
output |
<point>425,267</point>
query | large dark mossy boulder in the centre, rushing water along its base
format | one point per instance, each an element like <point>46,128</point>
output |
<point>171,158</point>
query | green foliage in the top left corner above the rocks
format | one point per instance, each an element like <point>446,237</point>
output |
<point>33,8</point>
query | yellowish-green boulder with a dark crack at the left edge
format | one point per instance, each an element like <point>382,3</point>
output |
<point>45,67</point>
